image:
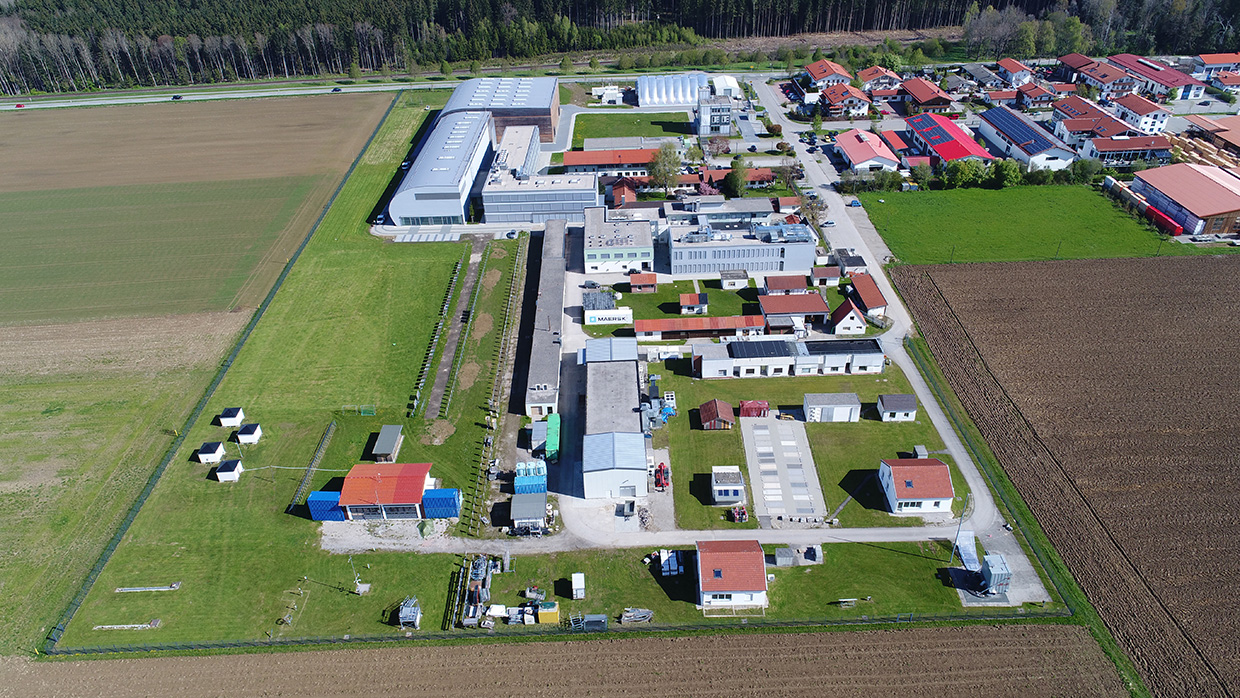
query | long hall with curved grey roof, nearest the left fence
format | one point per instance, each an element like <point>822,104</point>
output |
<point>436,192</point>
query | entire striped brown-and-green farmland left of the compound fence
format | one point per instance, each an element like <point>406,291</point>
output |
<point>175,216</point>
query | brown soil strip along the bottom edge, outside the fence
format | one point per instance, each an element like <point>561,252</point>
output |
<point>1026,660</point>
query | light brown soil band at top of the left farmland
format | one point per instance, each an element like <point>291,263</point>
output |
<point>234,139</point>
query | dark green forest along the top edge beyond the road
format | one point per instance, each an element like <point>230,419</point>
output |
<point>81,45</point>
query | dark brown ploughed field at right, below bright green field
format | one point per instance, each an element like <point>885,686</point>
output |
<point>1108,390</point>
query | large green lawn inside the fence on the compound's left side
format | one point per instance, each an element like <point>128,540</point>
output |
<point>350,327</point>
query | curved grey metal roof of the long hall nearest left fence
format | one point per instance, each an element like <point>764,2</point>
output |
<point>446,156</point>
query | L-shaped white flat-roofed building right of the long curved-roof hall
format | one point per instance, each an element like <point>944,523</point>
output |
<point>514,192</point>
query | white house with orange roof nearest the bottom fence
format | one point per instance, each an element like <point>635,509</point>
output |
<point>732,575</point>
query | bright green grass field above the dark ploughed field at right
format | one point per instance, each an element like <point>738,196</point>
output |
<point>1020,224</point>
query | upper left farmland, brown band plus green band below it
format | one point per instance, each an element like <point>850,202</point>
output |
<point>162,209</point>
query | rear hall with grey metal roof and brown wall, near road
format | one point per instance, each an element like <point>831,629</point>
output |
<point>511,102</point>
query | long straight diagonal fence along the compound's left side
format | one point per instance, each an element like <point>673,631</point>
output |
<point>54,638</point>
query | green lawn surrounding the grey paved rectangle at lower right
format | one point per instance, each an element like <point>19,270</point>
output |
<point>845,456</point>
